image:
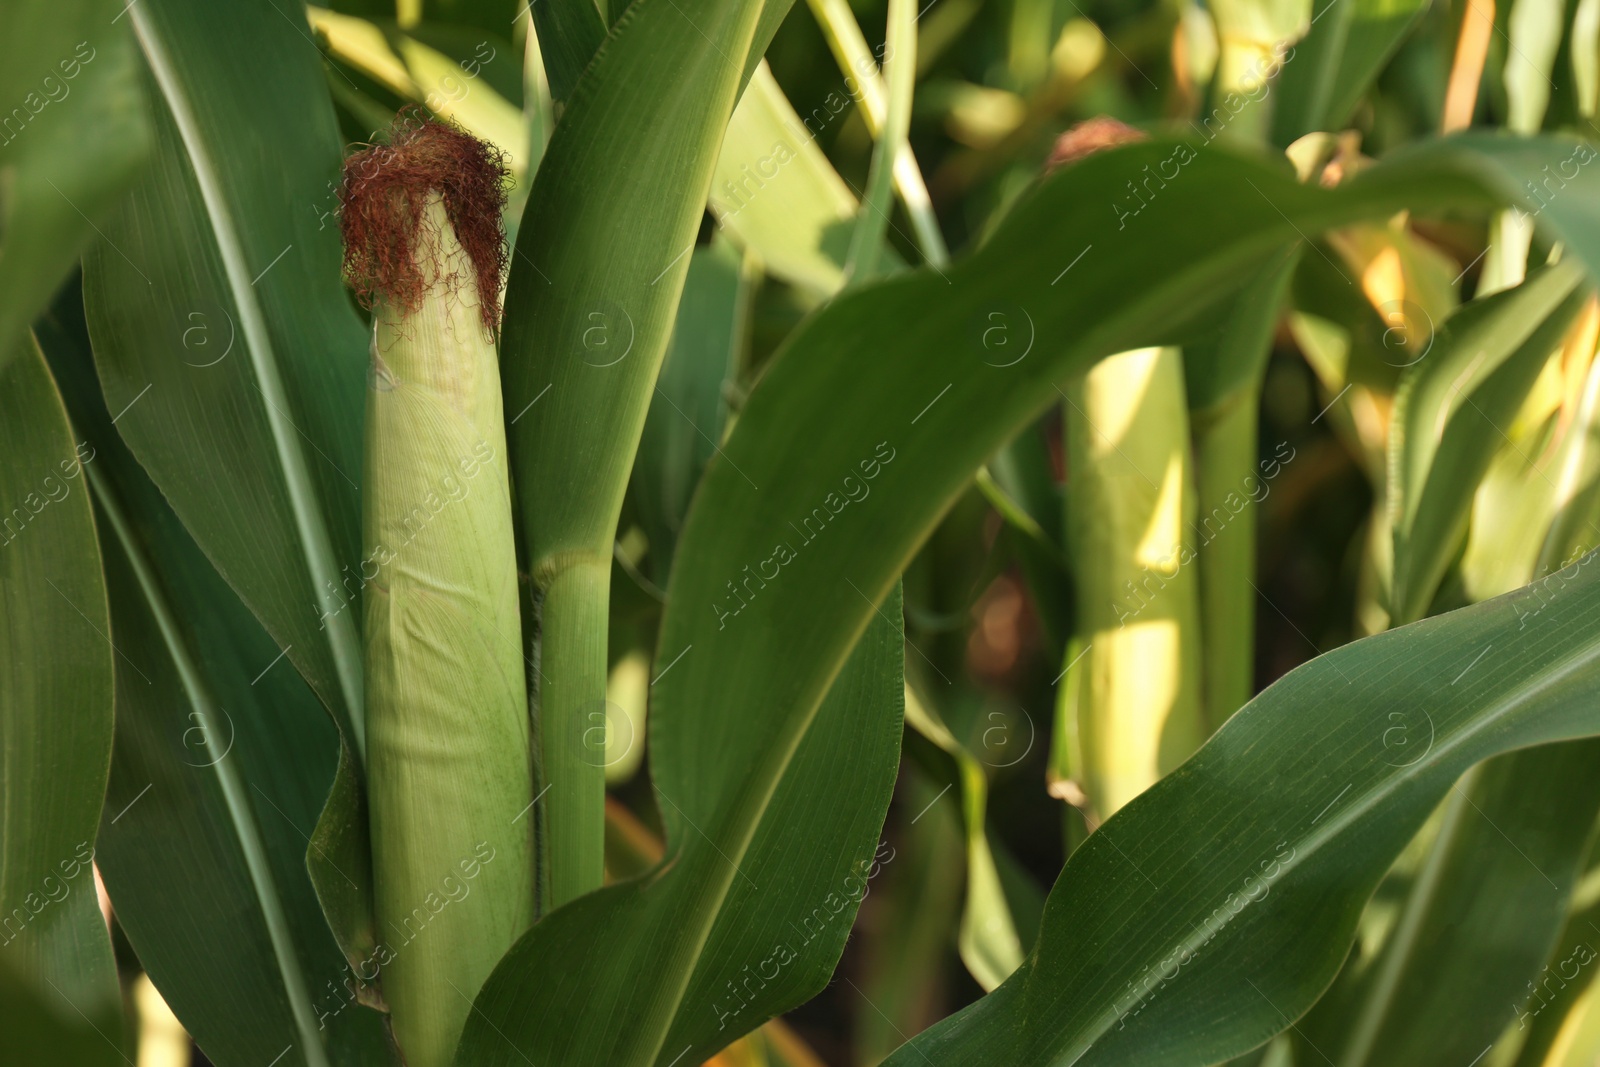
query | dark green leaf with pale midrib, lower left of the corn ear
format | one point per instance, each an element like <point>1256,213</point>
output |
<point>222,764</point>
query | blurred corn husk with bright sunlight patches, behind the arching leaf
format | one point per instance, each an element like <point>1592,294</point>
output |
<point>1134,689</point>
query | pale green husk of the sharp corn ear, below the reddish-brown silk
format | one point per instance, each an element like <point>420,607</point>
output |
<point>449,757</point>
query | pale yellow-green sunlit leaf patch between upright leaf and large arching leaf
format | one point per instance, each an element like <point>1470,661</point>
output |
<point>778,196</point>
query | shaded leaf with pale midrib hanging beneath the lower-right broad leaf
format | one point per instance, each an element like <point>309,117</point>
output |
<point>1482,917</point>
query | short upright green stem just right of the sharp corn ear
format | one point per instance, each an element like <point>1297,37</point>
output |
<point>572,725</point>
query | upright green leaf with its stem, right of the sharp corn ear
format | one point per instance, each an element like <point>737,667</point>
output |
<point>594,287</point>
